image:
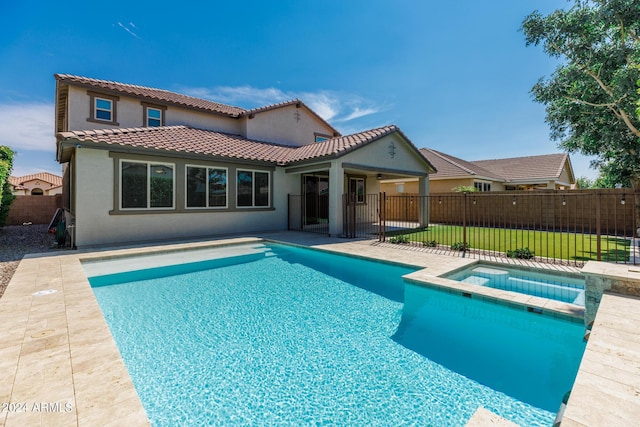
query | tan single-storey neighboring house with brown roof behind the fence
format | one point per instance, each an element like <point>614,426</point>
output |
<point>551,171</point>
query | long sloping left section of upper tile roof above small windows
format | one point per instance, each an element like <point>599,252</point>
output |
<point>159,95</point>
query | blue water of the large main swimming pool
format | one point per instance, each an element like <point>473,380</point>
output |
<point>288,336</point>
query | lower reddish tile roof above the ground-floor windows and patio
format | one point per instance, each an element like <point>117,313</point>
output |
<point>185,140</point>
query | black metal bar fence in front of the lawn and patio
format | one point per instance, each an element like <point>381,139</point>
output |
<point>566,227</point>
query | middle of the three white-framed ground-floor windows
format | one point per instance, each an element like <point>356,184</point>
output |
<point>206,187</point>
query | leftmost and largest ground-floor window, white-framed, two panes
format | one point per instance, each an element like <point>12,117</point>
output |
<point>146,185</point>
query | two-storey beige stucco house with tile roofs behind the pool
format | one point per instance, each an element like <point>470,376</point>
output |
<point>148,164</point>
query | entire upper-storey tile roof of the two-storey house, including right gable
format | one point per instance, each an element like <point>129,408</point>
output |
<point>167,97</point>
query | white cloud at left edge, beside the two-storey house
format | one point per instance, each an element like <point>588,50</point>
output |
<point>27,126</point>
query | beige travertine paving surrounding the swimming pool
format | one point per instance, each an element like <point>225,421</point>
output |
<point>59,364</point>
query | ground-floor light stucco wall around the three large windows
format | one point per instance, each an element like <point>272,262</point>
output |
<point>96,224</point>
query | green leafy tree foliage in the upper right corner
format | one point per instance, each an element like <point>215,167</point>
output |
<point>592,97</point>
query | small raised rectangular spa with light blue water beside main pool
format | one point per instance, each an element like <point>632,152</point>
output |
<point>559,287</point>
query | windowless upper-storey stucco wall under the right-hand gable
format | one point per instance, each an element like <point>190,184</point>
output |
<point>287,125</point>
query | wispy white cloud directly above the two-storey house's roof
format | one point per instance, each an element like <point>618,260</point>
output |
<point>330,105</point>
